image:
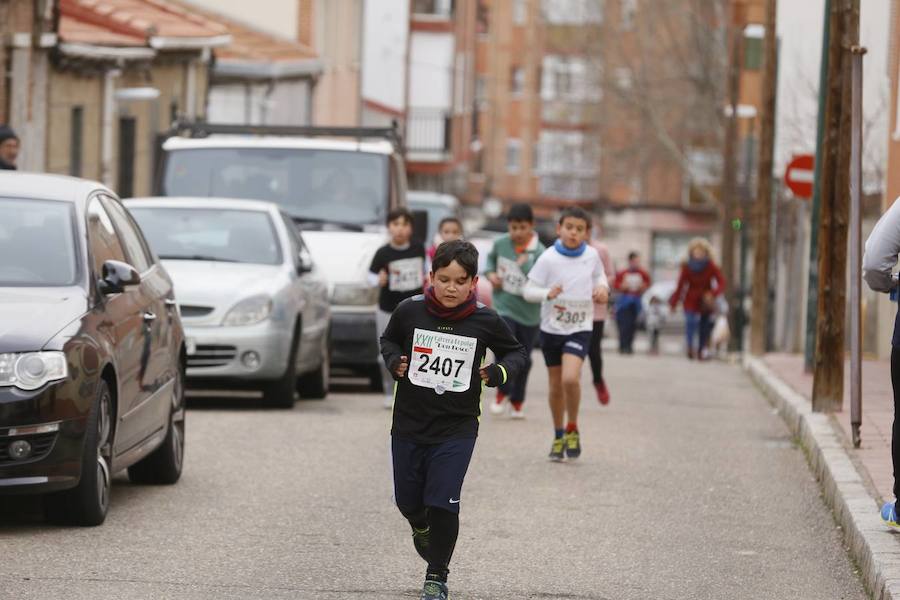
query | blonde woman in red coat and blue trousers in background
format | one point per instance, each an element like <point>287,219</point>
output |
<point>699,284</point>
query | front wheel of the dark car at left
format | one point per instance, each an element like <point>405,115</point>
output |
<point>88,502</point>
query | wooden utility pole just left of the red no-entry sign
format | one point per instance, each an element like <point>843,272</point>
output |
<point>763,216</point>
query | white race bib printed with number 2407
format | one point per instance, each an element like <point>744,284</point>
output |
<point>442,361</point>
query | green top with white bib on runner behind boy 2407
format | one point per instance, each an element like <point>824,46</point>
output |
<point>503,260</point>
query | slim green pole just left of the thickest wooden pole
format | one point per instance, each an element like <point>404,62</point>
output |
<point>812,286</point>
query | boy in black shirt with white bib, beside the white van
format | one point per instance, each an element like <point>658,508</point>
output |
<point>398,268</point>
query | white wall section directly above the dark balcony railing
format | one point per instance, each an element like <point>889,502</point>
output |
<point>431,70</point>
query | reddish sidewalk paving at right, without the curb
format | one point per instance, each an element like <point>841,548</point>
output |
<point>877,414</point>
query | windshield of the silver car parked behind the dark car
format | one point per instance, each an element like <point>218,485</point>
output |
<point>217,235</point>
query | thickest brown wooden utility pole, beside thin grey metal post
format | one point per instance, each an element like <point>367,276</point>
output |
<point>828,372</point>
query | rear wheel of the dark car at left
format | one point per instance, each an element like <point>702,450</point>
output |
<point>163,466</point>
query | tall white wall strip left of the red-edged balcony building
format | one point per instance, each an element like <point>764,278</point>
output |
<point>385,36</point>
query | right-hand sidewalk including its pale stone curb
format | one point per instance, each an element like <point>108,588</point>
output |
<point>854,482</point>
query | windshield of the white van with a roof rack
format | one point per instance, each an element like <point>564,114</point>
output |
<point>318,185</point>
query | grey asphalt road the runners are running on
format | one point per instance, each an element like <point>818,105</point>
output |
<point>689,487</point>
